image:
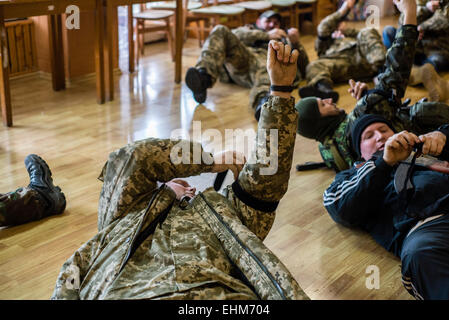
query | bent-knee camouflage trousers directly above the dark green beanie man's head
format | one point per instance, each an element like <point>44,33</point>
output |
<point>364,61</point>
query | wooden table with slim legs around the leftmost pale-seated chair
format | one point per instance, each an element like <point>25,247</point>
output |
<point>112,5</point>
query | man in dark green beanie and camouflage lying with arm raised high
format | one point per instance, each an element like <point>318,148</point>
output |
<point>385,99</point>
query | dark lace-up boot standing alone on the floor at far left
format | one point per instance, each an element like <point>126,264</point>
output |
<point>41,181</point>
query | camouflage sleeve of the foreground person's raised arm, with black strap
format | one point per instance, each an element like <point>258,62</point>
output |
<point>266,174</point>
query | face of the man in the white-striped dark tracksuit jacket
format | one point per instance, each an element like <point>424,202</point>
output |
<point>373,139</point>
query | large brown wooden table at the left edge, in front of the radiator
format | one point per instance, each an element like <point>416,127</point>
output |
<point>54,9</point>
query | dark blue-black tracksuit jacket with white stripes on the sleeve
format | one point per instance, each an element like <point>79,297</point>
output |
<point>364,197</point>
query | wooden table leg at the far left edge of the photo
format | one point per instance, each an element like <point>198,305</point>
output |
<point>5,94</point>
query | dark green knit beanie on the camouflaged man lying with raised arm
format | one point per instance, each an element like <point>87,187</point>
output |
<point>310,122</point>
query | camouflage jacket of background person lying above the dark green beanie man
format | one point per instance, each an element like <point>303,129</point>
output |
<point>326,46</point>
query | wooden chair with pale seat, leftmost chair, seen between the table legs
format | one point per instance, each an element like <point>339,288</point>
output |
<point>149,20</point>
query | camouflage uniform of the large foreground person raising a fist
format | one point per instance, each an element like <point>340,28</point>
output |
<point>148,246</point>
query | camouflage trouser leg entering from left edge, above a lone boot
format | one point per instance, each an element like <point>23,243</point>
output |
<point>21,206</point>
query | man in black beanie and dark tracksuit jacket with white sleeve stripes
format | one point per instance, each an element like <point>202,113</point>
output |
<point>403,204</point>
